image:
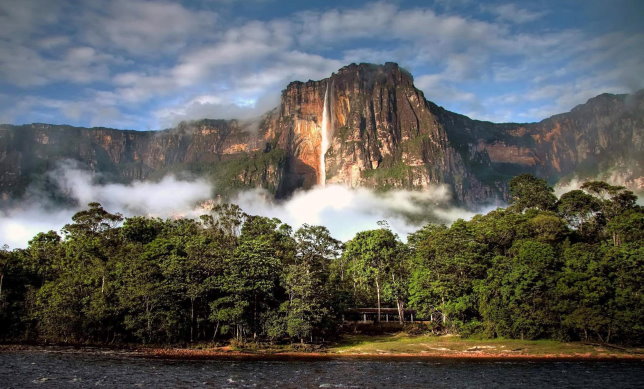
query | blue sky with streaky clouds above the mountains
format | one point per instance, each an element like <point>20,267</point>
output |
<point>148,64</point>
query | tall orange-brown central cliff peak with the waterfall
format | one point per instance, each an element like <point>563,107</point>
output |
<point>382,134</point>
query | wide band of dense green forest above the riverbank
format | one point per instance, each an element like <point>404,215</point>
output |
<point>568,268</point>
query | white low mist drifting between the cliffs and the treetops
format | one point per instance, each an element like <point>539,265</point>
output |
<point>345,211</point>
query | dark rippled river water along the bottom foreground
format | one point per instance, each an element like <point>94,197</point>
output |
<point>25,369</point>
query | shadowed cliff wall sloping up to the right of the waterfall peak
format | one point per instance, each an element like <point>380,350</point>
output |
<point>601,138</point>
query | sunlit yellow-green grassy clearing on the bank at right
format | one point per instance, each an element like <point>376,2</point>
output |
<point>444,345</point>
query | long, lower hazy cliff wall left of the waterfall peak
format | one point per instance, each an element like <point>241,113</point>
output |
<point>28,152</point>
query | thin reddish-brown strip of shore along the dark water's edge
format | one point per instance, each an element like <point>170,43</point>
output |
<point>173,353</point>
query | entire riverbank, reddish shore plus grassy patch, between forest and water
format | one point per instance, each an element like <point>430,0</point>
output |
<point>398,346</point>
